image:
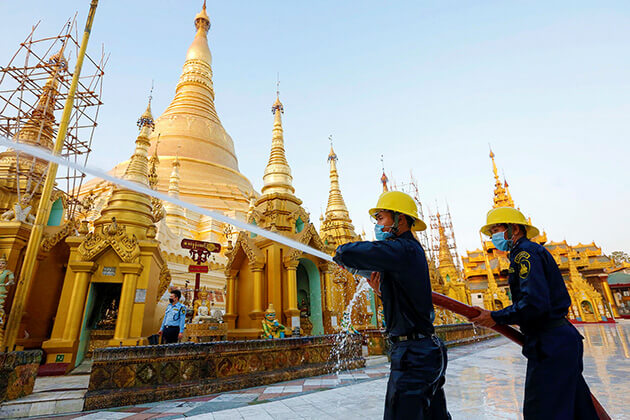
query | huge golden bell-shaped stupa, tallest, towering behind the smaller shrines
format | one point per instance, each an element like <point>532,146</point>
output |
<point>193,158</point>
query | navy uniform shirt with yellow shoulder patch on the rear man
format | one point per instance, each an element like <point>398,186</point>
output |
<point>538,290</point>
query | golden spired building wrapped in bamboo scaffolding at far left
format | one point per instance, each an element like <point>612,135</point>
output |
<point>33,88</point>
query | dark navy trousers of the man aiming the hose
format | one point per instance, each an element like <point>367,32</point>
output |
<point>416,380</point>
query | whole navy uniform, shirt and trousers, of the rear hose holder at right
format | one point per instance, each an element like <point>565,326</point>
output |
<point>554,385</point>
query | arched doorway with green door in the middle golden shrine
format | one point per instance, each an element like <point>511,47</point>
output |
<point>309,293</point>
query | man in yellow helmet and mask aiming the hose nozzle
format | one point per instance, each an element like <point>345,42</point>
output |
<point>400,276</point>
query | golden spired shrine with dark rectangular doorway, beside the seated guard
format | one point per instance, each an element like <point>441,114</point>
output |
<point>116,273</point>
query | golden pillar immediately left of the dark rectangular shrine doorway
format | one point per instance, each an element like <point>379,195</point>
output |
<point>83,273</point>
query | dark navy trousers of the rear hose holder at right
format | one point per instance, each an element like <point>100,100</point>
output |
<point>554,385</point>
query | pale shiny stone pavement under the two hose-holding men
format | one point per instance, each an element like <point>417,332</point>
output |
<point>484,380</point>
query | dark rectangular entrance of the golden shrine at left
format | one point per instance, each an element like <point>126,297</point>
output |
<point>99,318</point>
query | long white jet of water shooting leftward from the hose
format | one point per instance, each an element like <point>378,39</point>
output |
<point>46,155</point>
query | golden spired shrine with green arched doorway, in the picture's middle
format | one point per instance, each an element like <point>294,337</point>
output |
<point>261,272</point>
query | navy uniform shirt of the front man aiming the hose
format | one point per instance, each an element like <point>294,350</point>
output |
<point>405,282</point>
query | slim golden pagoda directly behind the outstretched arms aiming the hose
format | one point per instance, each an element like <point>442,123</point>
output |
<point>336,229</point>
